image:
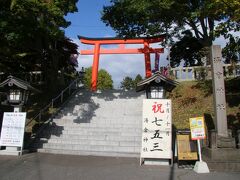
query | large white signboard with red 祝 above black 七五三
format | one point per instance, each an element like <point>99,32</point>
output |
<point>157,129</point>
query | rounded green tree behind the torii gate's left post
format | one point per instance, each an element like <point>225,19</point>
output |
<point>104,79</point>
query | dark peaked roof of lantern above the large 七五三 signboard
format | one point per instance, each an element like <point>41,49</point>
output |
<point>167,83</point>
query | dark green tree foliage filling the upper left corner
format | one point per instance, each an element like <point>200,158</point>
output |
<point>32,36</point>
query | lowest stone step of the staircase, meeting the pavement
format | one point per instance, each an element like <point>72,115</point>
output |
<point>89,153</point>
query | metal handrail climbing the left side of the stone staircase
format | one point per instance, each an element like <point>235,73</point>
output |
<point>56,101</point>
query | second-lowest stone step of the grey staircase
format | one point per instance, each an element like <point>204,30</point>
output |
<point>129,149</point>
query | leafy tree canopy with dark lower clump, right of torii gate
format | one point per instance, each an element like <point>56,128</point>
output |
<point>207,19</point>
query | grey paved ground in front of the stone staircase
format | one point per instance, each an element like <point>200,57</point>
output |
<point>38,166</point>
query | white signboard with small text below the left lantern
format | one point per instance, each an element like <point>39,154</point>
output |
<point>13,129</point>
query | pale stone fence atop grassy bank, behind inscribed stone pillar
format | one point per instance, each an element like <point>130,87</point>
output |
<point>203,72</point>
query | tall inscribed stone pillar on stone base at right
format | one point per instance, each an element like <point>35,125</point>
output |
<point>222,147</point>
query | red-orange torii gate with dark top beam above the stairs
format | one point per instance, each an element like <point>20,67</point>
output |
<point>97,42</point>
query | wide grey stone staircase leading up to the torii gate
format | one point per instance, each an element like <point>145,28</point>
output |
<point>102,124</point>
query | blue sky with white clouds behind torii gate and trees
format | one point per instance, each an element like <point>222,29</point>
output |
<point>87,22</point>
